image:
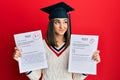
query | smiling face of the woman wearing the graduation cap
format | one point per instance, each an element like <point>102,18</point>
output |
<point>60,25</point>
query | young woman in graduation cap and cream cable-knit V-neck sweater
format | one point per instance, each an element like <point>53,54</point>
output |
<point>57,48</point>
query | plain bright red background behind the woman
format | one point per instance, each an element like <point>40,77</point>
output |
<point>99,17</point>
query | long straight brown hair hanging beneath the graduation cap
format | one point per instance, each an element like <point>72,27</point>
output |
<point>50,36</point>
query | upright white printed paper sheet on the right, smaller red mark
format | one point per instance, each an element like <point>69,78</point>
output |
<point>82,48</point>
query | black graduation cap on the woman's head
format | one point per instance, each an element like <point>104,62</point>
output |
<point>58,10</point>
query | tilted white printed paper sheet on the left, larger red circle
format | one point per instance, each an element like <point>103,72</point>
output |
<point>32,50</point>
